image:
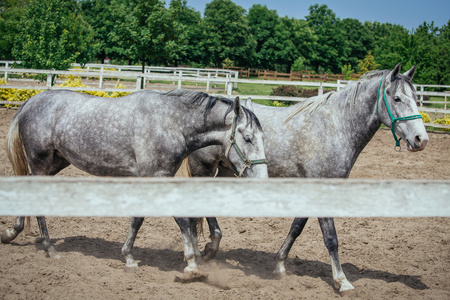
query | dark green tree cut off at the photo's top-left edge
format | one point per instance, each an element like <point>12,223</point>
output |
<point>10,14</point>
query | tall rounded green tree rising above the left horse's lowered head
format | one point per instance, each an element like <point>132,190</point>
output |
<point>227,34</point>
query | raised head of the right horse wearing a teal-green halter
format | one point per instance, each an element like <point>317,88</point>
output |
<point>397,109</point>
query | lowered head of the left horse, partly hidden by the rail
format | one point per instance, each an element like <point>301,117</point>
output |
<point>246,149</point>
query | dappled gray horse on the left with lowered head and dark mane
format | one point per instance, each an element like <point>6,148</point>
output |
<point>142,134</point>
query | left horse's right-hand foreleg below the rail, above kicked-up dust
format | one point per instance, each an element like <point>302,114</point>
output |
<point>188,228</point>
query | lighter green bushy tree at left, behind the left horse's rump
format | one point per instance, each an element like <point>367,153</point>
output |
<point>52,35</point>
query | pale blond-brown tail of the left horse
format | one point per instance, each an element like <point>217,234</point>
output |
<point>15,149</point>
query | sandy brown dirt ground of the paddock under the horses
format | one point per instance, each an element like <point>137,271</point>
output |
<point>384,258</point>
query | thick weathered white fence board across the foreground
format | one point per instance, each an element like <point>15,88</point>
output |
<point>275,197</point>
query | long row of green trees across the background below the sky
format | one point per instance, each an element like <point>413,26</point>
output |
<point>55,33</point>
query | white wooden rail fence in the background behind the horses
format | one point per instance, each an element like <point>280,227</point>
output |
<point>208,76</point>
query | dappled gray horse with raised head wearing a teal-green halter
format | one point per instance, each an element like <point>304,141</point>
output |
<point>322,138</point>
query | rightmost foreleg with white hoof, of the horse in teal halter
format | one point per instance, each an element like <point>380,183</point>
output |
<point>331,242</point>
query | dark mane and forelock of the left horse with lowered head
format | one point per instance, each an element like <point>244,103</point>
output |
<point>200,98</point>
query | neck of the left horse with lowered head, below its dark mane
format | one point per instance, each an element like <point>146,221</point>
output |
<point>210,131</point>
